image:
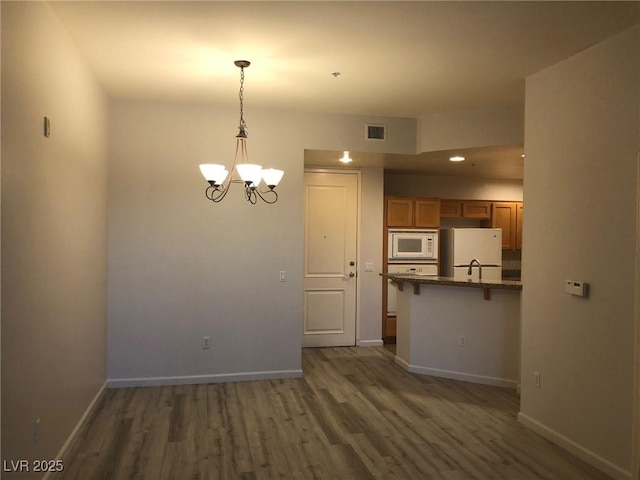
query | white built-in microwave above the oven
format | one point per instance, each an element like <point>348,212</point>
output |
<point>412,246</point>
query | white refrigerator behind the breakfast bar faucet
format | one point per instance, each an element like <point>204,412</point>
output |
<point>461,245</point>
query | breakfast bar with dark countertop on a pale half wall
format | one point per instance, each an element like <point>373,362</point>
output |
<point>455,328</point>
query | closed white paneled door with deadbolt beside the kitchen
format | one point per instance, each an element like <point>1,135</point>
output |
<point>330,249</point>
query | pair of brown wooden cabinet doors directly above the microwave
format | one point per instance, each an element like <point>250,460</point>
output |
<point>412,212</point>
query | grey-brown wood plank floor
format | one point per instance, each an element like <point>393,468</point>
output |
<point>354,415</point>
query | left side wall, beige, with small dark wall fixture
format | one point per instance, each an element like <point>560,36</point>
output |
<point>54,231</point>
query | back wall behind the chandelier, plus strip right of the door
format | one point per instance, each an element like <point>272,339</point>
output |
<point>181,268</point>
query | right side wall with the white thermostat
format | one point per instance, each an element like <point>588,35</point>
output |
<point>582,139</point>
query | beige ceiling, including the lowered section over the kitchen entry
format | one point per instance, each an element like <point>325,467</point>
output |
<point>399,59</point>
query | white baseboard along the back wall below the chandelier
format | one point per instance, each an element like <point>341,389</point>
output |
<point>196,379</point>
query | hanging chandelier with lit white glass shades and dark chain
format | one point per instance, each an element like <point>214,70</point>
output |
<point>251,175</point>
